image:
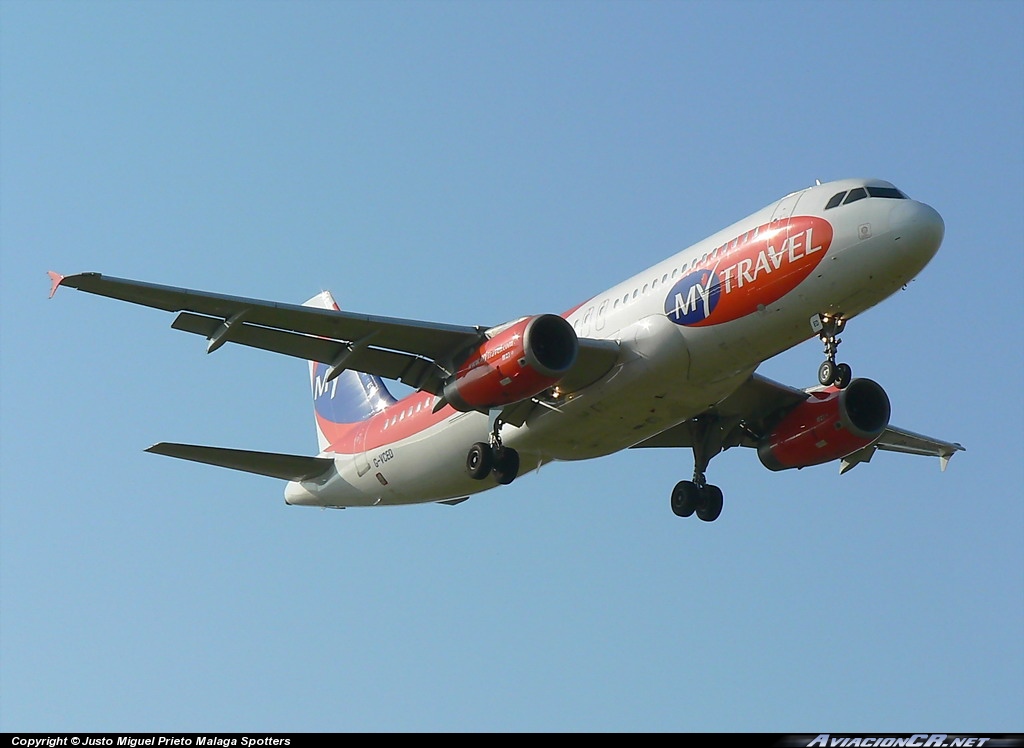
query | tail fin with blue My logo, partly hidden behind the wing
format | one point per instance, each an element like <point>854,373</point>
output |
<point>351,398</point>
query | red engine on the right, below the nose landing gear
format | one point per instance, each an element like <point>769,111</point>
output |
<point>829,426</point>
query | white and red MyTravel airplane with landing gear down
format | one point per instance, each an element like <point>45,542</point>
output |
<point>666,359</point>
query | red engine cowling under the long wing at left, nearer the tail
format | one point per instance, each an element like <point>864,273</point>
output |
<point>518,361</point>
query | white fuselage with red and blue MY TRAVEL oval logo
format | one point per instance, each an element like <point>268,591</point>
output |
<point>692,328</point>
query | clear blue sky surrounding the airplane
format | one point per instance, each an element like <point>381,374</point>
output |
<point>472,162</point>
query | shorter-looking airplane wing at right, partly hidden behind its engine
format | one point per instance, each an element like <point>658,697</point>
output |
<point>745,415</point>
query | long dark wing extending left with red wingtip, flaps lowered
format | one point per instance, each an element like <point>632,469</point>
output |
<point>422,355</point>
